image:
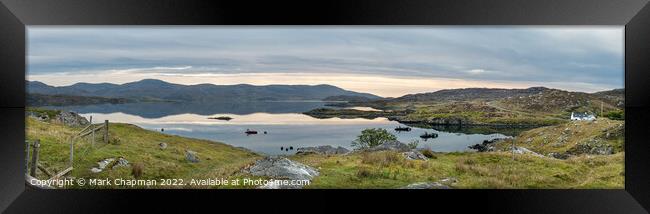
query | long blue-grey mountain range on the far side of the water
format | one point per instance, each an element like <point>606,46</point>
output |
<point>151,89</point>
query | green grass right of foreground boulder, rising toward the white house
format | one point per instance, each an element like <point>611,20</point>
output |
<point>389,169</point>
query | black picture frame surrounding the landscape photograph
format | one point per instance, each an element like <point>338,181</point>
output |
<point>15,15</point>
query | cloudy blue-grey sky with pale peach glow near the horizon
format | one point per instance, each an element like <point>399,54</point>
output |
<point>386,61</point>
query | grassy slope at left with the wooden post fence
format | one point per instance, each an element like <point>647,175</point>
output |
<point>137,145</point>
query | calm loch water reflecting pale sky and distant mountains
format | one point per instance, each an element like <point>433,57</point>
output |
<point>283,121</point>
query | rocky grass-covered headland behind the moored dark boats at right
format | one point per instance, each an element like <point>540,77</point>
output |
<point>533,106</point>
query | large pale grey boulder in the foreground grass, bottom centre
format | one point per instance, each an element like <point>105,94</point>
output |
<point>282,168</point>
